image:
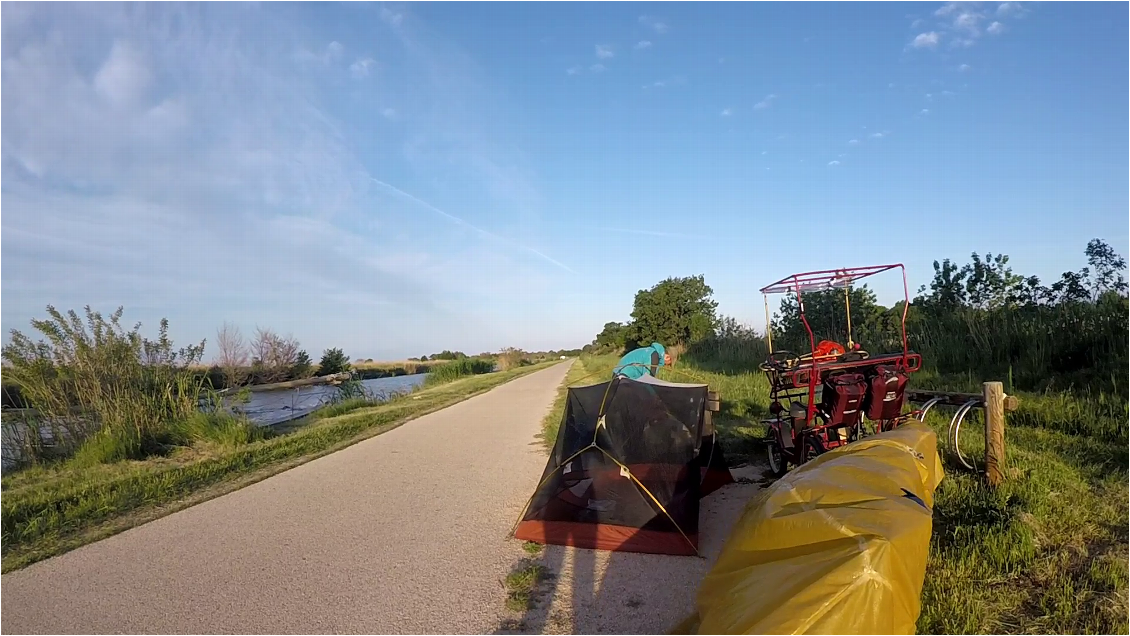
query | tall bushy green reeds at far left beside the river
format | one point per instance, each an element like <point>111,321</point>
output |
<point>97,384</point>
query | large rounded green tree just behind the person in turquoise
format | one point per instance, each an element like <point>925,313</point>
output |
<point>677,311</point>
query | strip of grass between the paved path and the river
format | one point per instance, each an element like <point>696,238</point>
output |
<point>49,511</point>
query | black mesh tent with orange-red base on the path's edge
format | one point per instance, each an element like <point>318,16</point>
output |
<point>628,471</point>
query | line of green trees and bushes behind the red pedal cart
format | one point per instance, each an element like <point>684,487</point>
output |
<point>981,316</point>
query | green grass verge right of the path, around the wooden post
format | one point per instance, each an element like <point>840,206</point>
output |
<point>1047,553</point>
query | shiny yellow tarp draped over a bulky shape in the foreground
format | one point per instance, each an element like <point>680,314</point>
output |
<point>838,546</point>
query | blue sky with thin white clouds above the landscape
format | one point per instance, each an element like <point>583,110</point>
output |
<point>401,179</point>
